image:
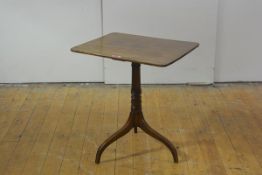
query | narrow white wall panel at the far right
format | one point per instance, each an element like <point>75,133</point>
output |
<point>239,37</point>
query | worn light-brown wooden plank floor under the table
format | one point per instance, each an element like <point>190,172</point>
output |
<point>56,129</point>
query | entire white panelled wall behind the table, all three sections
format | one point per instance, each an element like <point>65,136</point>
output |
<point>36,37</point>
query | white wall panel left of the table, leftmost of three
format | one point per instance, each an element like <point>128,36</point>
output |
<point>36,37</point>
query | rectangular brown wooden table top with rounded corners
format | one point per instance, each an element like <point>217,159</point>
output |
<point>138,49</point>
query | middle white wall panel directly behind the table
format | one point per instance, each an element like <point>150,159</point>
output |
<point>191,20</point>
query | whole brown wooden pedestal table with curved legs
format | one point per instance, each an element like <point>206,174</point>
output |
<point>138,50</point>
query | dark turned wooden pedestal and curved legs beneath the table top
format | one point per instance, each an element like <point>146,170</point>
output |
<point>136,119</point>
